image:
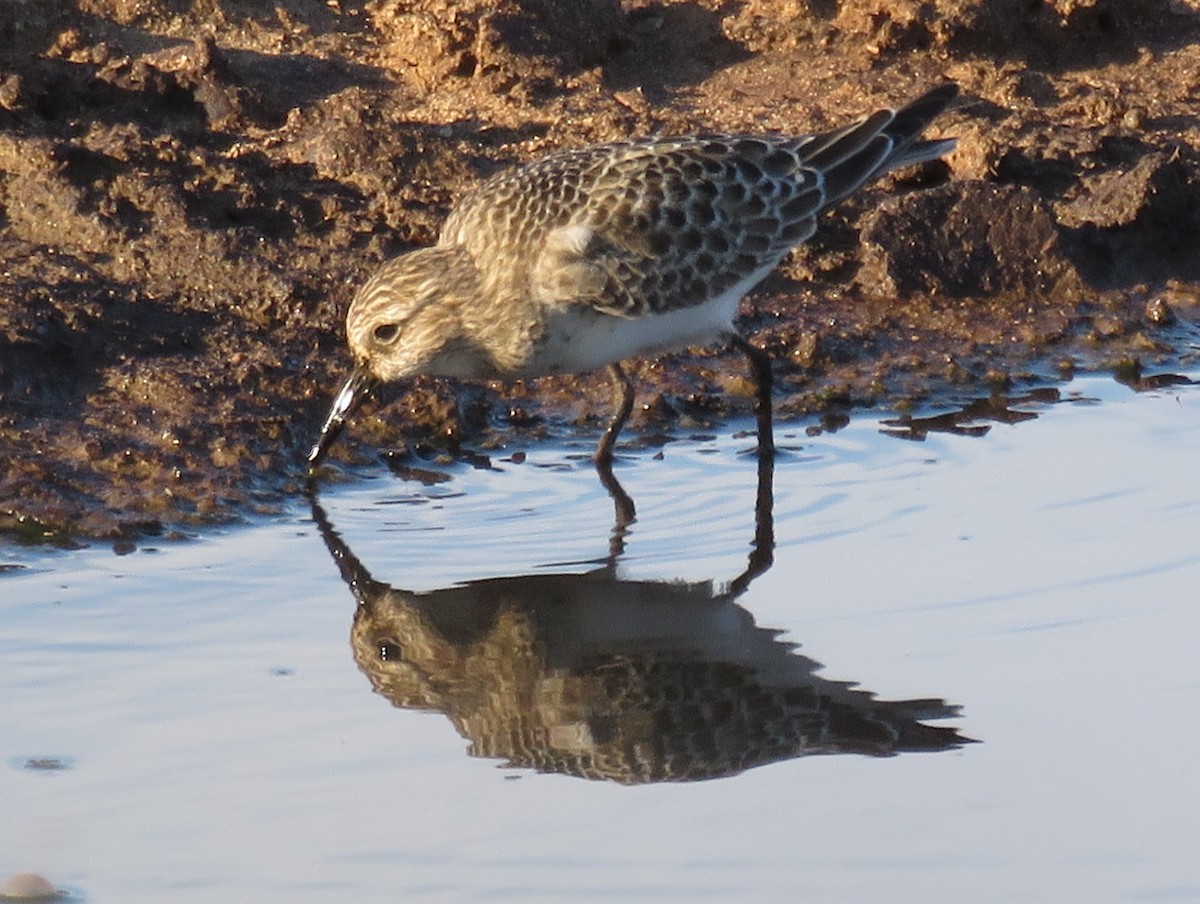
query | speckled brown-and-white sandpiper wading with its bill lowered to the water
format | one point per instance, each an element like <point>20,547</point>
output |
<point>591,256</point>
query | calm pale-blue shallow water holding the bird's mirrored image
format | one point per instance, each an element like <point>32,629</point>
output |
<point>190,722</point>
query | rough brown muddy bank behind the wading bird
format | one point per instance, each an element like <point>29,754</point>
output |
<point>191,190</point>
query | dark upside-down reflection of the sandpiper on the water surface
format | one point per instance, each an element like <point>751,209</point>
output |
<point>627,681</point>
